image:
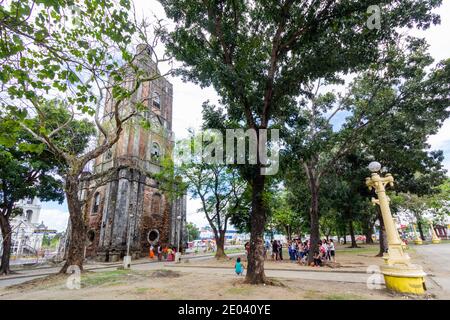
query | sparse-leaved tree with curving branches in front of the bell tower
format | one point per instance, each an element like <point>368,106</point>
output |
<point>72,58</point>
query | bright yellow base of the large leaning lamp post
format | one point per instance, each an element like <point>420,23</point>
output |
<point>404,279</point>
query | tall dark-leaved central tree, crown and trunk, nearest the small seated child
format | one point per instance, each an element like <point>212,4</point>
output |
<point>258,55</point>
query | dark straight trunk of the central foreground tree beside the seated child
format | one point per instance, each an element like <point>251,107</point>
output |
<point>255,272</point>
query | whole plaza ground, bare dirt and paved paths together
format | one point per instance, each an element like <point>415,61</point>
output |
<point>211,279</point>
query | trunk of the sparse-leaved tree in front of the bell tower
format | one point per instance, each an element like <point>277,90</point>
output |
<point>77,239</point>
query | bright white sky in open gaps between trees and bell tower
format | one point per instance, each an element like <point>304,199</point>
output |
<point>188,99</point>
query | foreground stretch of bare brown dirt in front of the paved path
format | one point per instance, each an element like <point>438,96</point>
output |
<point>163,284</point>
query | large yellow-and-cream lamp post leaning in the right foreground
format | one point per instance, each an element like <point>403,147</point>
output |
<point>399,274</point>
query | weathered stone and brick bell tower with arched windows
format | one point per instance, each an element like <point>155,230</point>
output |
<point>131,207</point>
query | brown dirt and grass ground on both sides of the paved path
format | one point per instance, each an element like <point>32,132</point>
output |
<point>173,283</point>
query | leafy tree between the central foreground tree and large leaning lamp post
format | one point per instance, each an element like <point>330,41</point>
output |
<point>391,110</point>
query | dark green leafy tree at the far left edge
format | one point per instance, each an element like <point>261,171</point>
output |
<point>25,172</point>
